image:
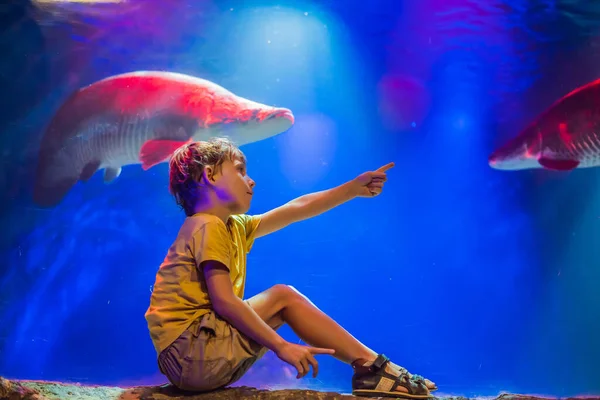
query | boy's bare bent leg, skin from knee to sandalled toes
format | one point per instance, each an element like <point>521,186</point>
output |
<point>283,303</point>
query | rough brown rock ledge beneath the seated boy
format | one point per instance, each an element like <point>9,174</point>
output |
<point>39,390</point>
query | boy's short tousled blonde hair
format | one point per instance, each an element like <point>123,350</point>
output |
<point>187,164</point>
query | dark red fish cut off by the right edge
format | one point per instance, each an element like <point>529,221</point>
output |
<point>566,136</point>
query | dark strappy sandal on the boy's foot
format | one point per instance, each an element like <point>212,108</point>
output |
<point>375,381</point>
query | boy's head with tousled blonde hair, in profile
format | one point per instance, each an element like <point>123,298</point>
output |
<point>212,170</point>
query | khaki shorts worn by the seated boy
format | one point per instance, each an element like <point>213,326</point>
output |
<point>210,354</point>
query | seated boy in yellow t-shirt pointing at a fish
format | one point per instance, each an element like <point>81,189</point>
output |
<point>205,335</point>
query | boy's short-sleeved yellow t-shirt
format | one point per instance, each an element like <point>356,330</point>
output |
<point>180,296</point>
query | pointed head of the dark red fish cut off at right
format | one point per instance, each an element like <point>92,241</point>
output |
<point>522,152</point>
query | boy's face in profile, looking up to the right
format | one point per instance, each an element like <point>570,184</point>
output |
<point>233,186</point>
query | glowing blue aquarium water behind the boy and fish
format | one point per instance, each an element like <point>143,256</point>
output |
<point>481,280</point>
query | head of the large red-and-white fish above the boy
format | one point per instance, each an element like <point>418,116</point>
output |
<point>245,121</point>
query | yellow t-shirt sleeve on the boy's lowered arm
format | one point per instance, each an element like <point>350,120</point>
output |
<point>211,242</point>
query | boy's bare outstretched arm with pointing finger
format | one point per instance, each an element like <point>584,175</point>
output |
<point>368,184</point>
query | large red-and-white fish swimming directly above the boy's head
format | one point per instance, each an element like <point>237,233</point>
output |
<point>141,118</point>
